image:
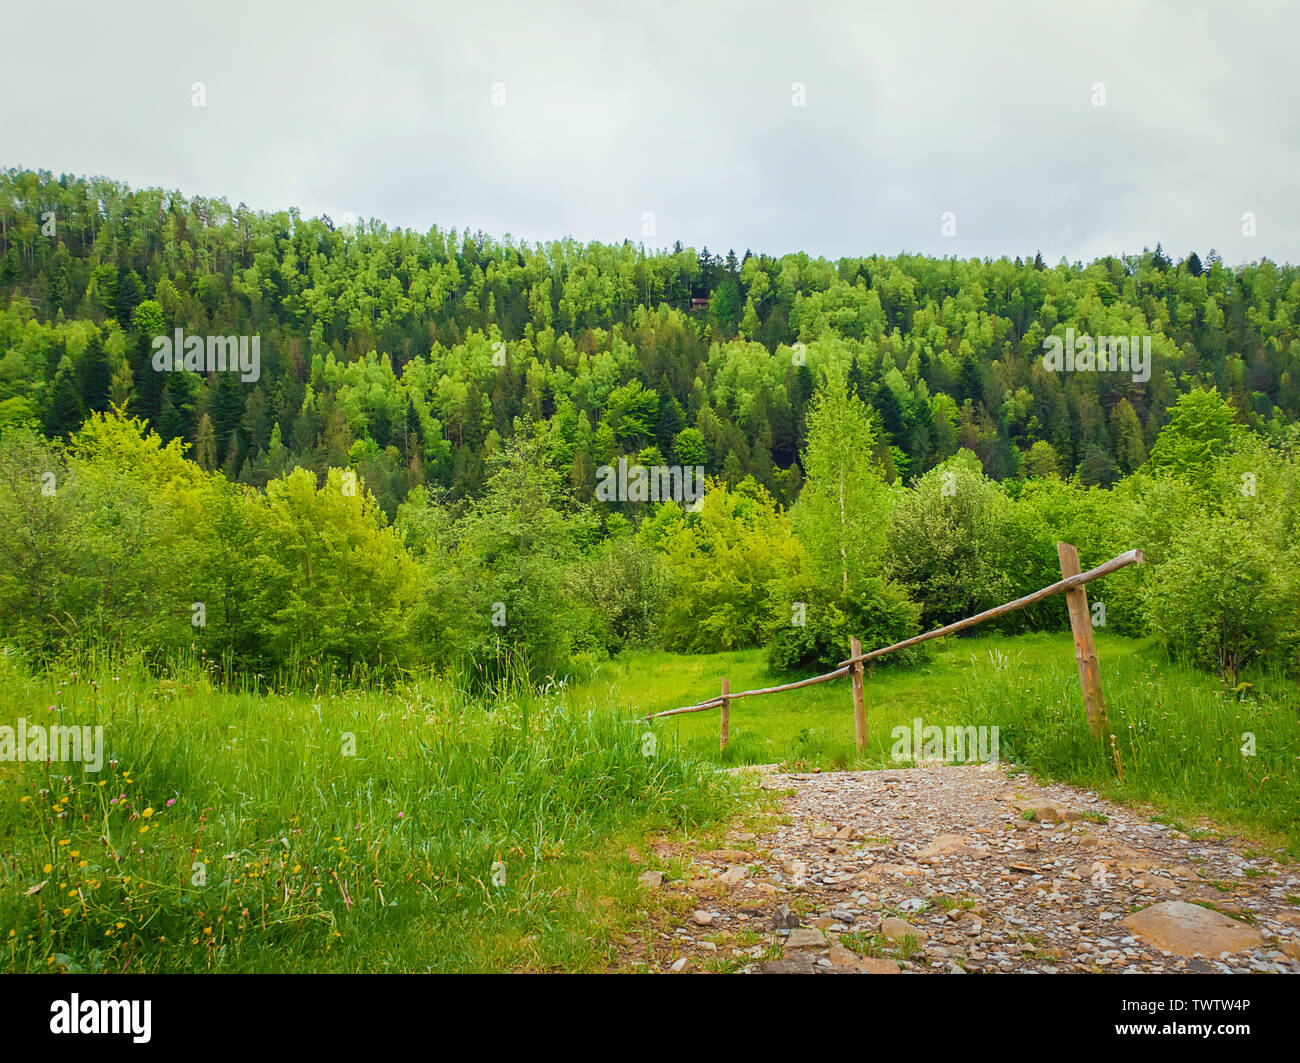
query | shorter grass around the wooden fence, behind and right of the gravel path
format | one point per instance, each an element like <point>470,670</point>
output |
<point>1178,734</point>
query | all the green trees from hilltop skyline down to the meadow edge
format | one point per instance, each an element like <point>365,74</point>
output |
<point>475,388</point>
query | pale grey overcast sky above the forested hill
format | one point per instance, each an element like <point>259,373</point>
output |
<point>687,112</point>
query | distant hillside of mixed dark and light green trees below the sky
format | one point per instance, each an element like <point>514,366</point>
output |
<point>410,355</point>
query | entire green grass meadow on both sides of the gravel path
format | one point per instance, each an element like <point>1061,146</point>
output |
<point>419,830</point>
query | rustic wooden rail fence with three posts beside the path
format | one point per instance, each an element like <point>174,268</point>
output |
<point>1081,624</point>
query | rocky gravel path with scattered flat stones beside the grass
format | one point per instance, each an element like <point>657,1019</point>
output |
<point>973,870</point>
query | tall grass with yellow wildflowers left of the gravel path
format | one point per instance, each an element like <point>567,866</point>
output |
<point>339,831</point>
